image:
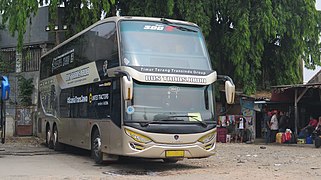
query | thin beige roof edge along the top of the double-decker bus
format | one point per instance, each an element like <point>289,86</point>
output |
<point>116,19</point>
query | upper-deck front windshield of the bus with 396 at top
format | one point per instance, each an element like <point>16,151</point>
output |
<point>160,44</point>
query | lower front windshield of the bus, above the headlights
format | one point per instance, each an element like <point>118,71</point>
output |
<point>171,103</point>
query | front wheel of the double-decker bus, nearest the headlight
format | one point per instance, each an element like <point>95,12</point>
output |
<point>96,147</point>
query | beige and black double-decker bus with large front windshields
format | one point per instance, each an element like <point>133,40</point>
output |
<point>131,86</point>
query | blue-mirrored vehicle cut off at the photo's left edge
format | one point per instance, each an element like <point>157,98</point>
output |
<point>5,91</point>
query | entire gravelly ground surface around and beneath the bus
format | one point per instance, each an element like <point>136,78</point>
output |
<point>232,161</point>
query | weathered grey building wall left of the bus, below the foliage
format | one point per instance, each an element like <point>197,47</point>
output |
<point>36,42</point>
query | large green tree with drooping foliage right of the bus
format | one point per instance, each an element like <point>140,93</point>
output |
<point>241,38</point>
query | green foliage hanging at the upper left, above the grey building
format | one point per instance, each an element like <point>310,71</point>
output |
<point>84,12</point>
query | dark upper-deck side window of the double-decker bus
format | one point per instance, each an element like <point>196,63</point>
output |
<point>98,44</point>
